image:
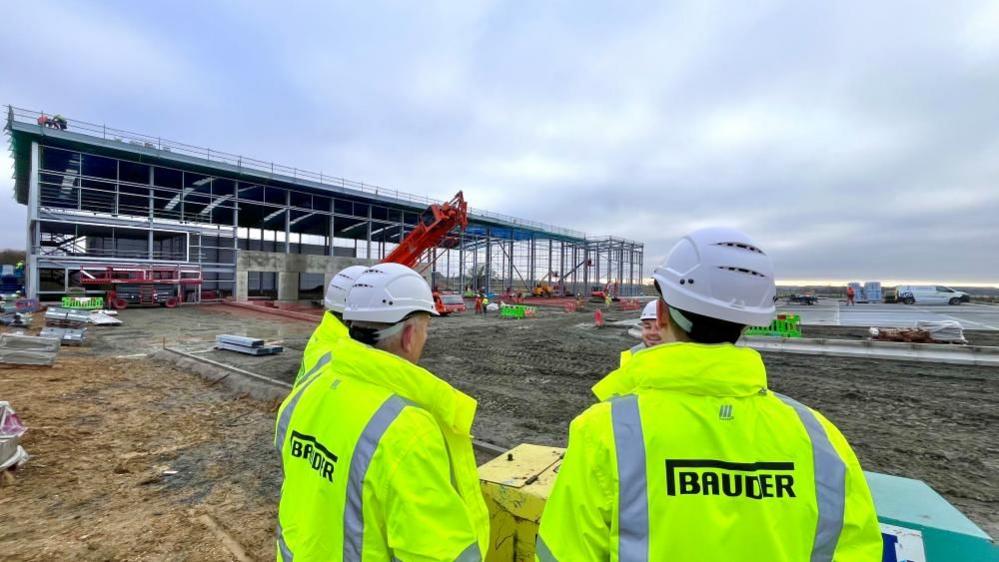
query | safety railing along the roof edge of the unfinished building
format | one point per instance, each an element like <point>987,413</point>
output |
<point>159,143</point>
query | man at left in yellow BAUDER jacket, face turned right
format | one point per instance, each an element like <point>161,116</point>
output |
<point>376,451</point>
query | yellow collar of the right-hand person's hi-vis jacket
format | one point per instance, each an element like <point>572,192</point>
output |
<point>709,370</point>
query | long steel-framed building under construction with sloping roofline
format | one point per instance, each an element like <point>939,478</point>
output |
<point>105,203</point>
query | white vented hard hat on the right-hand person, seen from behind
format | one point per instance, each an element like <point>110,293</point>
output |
<point>719,273</point>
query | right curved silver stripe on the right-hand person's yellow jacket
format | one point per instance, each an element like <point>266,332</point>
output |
<point>830,483</point>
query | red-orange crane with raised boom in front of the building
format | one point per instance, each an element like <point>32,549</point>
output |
<point>433,229</point>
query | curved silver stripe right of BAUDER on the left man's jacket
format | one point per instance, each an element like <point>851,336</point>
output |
<point>353,515</point>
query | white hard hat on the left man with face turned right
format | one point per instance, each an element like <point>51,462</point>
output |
<point>387,293</point>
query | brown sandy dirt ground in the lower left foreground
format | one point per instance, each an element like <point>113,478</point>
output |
<point>104,438</point>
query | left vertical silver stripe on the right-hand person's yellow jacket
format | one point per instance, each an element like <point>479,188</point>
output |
<point>633,496</point>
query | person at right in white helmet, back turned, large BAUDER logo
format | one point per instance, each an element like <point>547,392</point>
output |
<point>689,456</point>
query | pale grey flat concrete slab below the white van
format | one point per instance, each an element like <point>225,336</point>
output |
<point>971,316</point>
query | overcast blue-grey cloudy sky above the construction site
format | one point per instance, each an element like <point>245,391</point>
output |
<point>853,140</point>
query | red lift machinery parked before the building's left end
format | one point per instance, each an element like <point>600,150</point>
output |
<point>143,285</point>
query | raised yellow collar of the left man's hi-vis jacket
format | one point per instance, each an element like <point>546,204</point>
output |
<point>453,409</point>
